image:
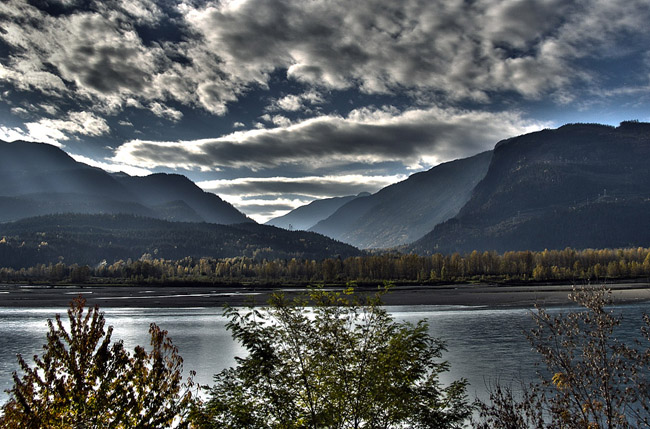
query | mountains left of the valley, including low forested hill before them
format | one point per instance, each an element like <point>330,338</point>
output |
<point>53,208</point>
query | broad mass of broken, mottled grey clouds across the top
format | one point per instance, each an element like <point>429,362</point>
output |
<point>118,50</point>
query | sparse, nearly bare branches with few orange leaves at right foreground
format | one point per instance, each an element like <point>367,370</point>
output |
<point>594,380</point>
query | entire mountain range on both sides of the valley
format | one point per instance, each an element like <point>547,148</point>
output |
<point>580,186</point>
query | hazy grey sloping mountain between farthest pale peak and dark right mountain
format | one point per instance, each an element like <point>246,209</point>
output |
<point>403,212</point>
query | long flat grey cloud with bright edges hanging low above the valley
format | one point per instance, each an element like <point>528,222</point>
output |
<point>367,136</point>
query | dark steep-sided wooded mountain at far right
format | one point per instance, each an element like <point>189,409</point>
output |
<point>582,186</point>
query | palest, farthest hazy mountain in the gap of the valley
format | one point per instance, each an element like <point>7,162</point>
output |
<point>304,217</point>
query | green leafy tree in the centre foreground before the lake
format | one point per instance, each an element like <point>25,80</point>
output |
<point>332,360</point>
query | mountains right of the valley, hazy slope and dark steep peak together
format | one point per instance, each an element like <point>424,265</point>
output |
<point>581,185</point>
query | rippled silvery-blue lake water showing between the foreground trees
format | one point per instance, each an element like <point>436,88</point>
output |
<point>484,344</point>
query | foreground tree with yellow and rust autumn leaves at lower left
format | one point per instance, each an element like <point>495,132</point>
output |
<point>82,380</point>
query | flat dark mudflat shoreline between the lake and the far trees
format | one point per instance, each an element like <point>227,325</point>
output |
<point>470,295</point>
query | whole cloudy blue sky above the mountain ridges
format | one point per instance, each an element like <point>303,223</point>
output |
<point>274,103</point>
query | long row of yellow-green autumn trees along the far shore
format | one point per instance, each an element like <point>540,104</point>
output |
<point>568,265</point>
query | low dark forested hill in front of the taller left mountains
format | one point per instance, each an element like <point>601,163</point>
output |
<point>90,239</point>
